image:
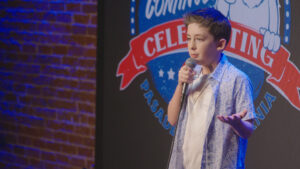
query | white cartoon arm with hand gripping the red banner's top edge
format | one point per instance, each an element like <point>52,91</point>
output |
<point>271,34</point>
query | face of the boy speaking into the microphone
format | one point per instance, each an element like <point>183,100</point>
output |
<point>201,44</point>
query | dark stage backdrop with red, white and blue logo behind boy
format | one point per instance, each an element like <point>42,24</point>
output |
<point>143,45</point>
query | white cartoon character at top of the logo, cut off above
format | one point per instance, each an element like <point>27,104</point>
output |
<point>261,15</point>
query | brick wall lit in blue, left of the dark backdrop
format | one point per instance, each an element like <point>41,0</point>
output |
<point>47,83</point>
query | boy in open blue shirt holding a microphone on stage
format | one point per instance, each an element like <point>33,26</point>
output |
<point>217,117</point>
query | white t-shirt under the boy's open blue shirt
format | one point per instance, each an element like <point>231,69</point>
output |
<point>199,97</point>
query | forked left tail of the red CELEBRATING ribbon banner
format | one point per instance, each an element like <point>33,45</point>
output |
<point>129,70</point>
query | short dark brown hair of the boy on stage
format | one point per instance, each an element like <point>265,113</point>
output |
<point>215,21</point>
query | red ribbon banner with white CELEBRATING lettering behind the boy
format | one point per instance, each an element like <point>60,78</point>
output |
<point>245,43</point>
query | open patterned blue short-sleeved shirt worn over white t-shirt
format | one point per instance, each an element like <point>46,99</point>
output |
<point>223,149</point>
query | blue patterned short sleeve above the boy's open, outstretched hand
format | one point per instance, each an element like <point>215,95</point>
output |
<point>244,98</point>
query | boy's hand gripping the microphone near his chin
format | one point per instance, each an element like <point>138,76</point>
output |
<point>186,75</point>
